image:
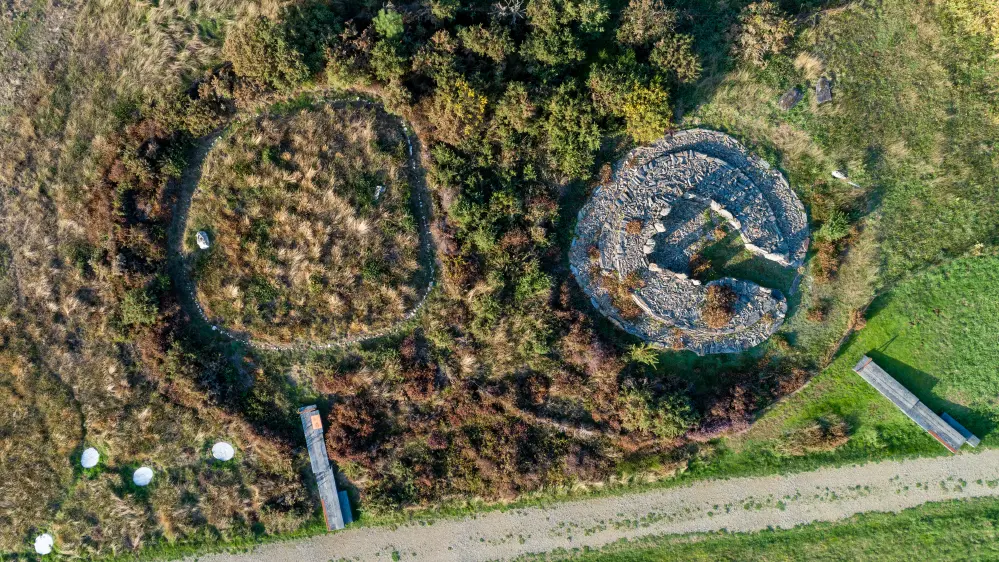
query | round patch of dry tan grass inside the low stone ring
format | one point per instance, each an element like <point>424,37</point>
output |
<point>307,227</point>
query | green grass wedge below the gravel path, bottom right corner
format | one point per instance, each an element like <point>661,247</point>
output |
<point>960,530</point>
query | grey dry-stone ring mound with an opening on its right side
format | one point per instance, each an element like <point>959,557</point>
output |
<point>635,238</point>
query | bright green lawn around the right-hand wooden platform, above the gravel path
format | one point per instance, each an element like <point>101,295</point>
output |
<point>936,333</point>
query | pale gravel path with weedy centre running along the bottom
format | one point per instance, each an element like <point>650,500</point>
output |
<point>741,504</point>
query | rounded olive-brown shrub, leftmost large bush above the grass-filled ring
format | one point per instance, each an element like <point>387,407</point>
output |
<point>259,49</point>
